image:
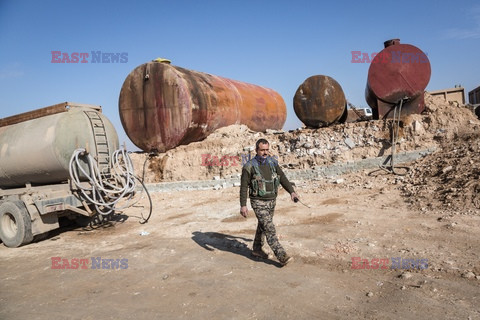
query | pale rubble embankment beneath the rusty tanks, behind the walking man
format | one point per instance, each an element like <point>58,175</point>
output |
<point>223,152</point>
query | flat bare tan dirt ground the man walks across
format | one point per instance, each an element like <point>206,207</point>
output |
<point>192,260</point>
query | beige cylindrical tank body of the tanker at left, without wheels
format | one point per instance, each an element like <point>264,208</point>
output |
<point>36,147</point>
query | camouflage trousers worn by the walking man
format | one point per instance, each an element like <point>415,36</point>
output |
<point>264,210</point>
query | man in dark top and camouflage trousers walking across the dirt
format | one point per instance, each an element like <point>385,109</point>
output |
<point>262,176</point>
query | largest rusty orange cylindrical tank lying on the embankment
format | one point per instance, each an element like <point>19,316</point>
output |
<point>163,106</point>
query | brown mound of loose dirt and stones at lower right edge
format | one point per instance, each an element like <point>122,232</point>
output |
<point>447,181</point>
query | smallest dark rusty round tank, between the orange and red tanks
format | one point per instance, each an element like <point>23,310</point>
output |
<point>319,101</point>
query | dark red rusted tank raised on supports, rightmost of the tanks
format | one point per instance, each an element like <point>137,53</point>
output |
<point>398,71</point>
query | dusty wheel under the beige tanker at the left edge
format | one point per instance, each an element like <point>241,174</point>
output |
<point>15,224</point>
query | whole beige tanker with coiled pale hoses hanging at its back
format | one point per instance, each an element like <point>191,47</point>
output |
<point>59,161</point>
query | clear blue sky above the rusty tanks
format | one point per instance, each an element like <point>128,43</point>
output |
<point>275,44</point>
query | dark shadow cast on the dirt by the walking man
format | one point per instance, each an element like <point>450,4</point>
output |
<point>214,240</point>
